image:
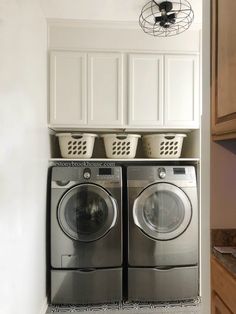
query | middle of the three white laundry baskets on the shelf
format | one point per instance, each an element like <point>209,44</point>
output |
<point>120,145</point>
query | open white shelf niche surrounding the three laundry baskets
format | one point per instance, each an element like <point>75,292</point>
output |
<point>190,148</point>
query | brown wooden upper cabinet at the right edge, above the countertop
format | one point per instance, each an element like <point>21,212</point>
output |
<point>223,81</point>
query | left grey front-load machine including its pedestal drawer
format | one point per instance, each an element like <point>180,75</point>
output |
<point>86,235</point>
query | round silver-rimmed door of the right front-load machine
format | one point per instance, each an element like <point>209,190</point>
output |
<point>162,211</point>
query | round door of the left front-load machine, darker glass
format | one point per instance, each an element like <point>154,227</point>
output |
<point>87,212</point>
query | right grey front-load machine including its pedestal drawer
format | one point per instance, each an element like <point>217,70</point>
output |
<point>162,233</point>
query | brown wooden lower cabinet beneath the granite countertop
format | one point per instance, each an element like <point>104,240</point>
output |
<point>223,289</point>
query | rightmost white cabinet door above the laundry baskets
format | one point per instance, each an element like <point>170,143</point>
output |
<point>182,90</point>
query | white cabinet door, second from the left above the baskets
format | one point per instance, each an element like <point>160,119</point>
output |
<point>105,89</point>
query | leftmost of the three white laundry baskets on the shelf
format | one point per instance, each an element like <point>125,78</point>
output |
<point>76,145</point>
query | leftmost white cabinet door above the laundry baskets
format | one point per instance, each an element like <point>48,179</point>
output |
<point>68,88</point>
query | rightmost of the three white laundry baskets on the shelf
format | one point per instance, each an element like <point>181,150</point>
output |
<point>167,145</point>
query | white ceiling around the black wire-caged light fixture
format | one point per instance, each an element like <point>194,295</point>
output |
<point>103,10</point>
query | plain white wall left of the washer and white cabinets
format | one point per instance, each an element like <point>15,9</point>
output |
<point>23,156</point>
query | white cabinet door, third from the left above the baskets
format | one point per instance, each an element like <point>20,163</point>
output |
<point>145,90</point>
